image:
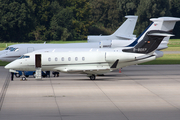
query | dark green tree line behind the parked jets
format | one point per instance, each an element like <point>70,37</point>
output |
<point>25,20</point>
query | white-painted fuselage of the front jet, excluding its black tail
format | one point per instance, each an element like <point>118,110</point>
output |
<point>93,62</point>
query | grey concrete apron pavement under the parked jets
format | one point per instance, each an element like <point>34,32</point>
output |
<point>144,92</point>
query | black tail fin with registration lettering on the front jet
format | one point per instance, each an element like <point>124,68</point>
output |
<point>151,40</point>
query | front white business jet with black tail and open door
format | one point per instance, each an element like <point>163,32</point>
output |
<point>92,62</point>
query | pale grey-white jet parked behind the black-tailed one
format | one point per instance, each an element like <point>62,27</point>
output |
<point>15,51</point>
